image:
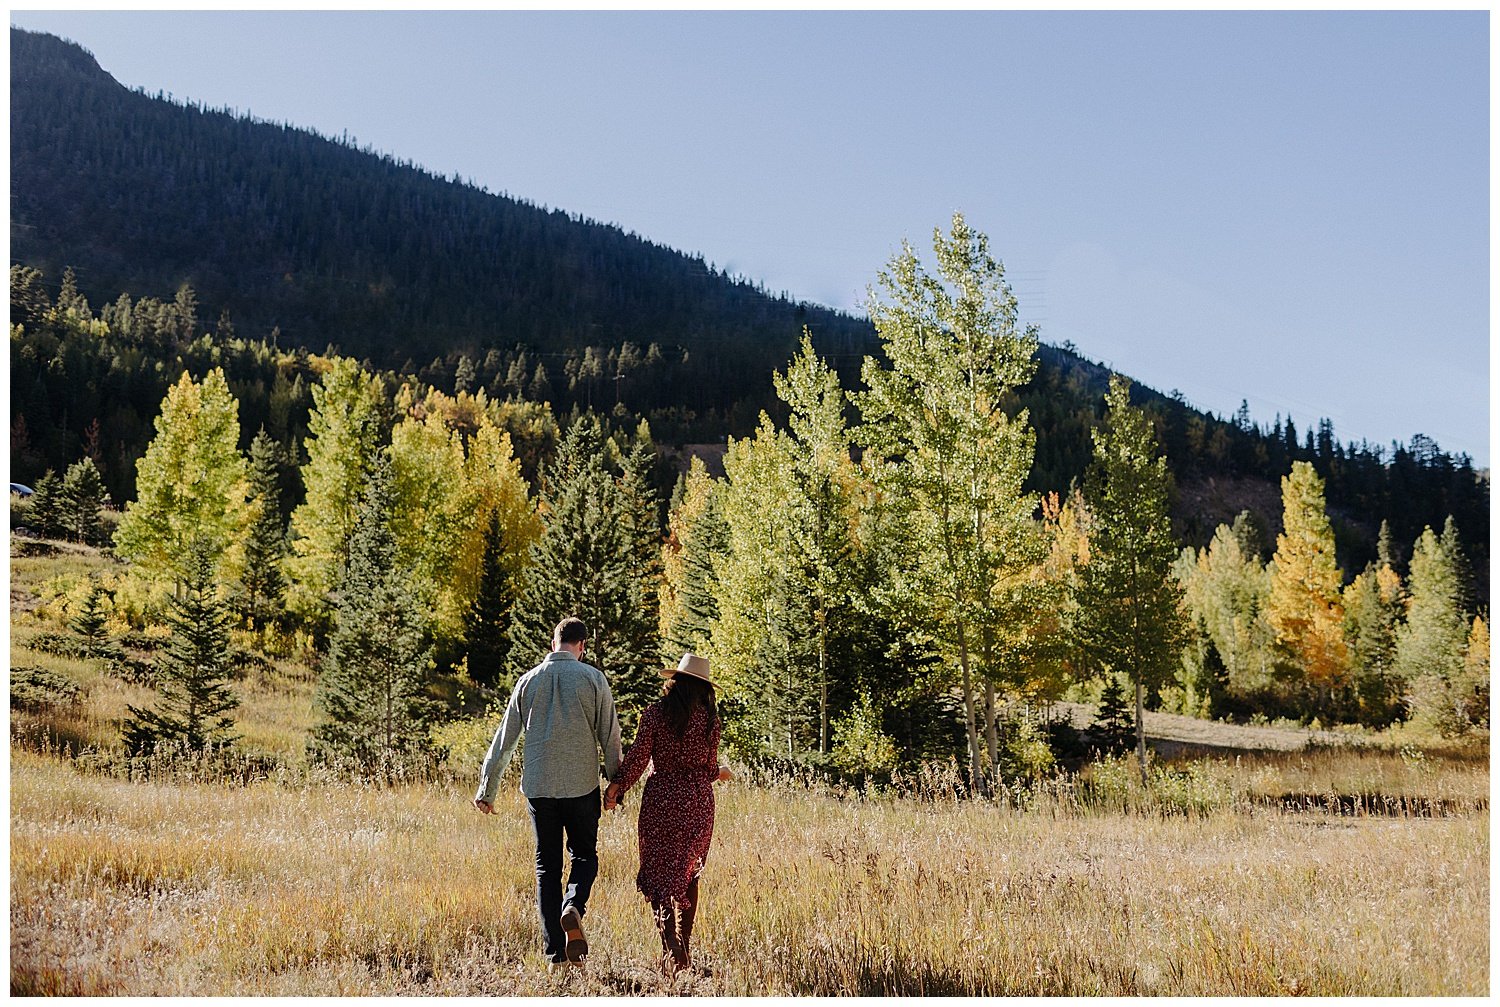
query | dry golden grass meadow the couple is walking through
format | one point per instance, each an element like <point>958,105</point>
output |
<point>1328,871</point>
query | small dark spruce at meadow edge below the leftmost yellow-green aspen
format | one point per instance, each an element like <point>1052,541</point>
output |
<point>194,673</point>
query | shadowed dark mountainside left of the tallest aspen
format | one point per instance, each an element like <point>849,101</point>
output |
<point>334,245</point>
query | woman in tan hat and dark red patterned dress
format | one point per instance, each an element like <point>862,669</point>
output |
<point>679,736</point>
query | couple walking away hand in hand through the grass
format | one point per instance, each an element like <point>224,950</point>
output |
<point>568,714</point>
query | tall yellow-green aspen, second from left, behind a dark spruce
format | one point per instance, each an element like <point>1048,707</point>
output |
<point>344,436</point>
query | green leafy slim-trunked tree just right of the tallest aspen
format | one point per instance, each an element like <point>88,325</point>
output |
<point>1130,606</point>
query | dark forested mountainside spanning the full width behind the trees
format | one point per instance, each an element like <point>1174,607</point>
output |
<point>284,230</point>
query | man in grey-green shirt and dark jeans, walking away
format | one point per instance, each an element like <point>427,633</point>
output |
<point>568,714</point>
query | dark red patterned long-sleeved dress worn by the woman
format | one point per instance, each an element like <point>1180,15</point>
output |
<point>677,808</point>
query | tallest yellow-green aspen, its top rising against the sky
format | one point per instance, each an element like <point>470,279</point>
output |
<point>941,442</point>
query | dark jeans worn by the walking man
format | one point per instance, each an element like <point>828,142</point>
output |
<point>553,817</point>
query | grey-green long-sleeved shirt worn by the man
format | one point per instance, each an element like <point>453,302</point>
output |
<point>568,714</point>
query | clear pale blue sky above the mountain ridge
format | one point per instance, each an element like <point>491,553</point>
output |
<point>1285,208</point>
